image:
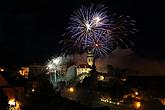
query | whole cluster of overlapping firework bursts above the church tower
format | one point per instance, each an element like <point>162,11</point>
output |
<point>92,28</point>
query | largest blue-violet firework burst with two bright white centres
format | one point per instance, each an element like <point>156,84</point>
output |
<point>87,22</point>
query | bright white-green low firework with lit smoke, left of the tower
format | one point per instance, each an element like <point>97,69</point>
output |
<point>55,70</point>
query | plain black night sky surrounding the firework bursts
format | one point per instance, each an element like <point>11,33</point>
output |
<point>30,31</point>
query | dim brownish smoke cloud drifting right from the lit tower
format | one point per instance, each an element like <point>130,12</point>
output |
<point>127,59</point>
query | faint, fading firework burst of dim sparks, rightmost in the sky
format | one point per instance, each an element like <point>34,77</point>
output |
<point>121,29</point>
